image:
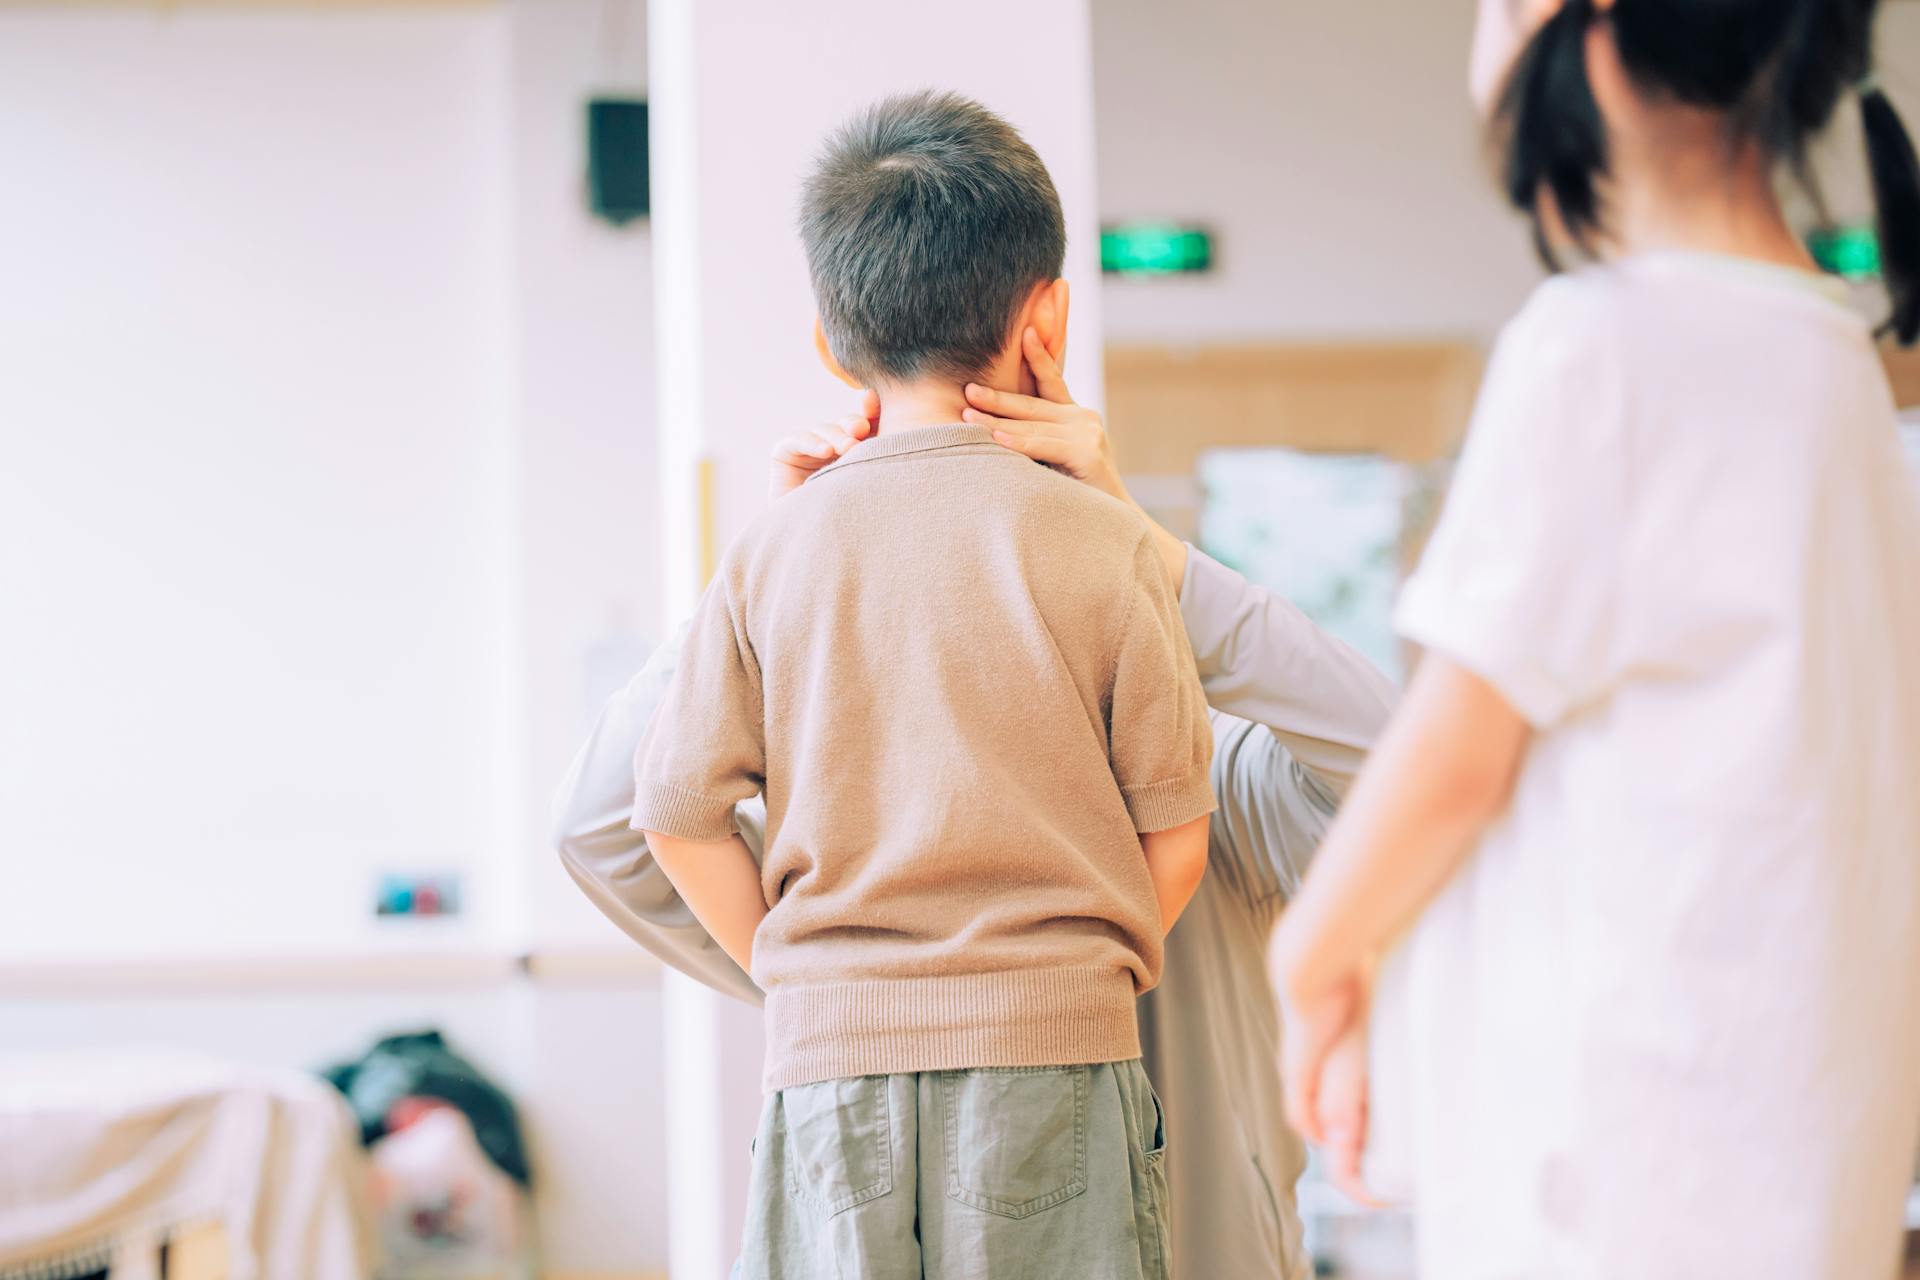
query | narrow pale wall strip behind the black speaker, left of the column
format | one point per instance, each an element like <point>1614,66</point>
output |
<point>585,412</point>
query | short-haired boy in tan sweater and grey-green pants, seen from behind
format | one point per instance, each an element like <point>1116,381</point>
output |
<point>965,690</point>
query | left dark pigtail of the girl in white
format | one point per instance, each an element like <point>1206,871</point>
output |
<point>1554,135</point>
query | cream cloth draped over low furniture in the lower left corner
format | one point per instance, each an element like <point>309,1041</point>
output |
<point>103,1156</point>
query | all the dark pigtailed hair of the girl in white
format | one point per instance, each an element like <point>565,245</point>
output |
<point>1775,68</point>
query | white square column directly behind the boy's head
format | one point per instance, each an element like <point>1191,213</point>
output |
<point>744,93</point>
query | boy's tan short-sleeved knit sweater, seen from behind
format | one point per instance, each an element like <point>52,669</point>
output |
<point>965,688</point>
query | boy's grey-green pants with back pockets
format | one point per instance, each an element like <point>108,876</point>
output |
<point>1045,1173</point>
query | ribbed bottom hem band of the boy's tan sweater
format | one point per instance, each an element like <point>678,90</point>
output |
<point>1024,1018</point>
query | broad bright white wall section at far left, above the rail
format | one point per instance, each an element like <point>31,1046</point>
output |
<point>256,329</point>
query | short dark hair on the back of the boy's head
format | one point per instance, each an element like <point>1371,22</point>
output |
<point>928,222</point>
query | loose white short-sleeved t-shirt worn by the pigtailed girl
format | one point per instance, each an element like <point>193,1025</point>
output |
<point>1668,1020</point>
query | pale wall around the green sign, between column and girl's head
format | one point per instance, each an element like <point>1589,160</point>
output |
<point>1335,156</point>
